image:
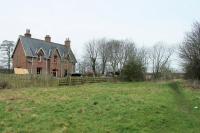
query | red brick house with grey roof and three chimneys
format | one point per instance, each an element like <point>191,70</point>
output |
<point>43,56</point>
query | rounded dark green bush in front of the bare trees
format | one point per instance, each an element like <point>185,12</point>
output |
<point>134,70</point>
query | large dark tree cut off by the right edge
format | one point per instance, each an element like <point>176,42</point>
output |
<point>190,52</point>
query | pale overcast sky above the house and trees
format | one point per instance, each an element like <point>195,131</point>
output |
<point>144,21</point>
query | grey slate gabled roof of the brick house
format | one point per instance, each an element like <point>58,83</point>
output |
<point>32,46</point>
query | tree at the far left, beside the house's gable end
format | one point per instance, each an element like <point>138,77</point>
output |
<point>7,47</point>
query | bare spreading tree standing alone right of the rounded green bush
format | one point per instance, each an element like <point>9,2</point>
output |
<point>159,57</point>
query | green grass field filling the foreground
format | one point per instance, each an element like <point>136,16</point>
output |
<point>164,107</point>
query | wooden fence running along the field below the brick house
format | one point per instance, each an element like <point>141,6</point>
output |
<point>23,81</point>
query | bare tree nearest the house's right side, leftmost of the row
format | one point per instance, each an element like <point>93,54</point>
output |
<point>92,54</point>
